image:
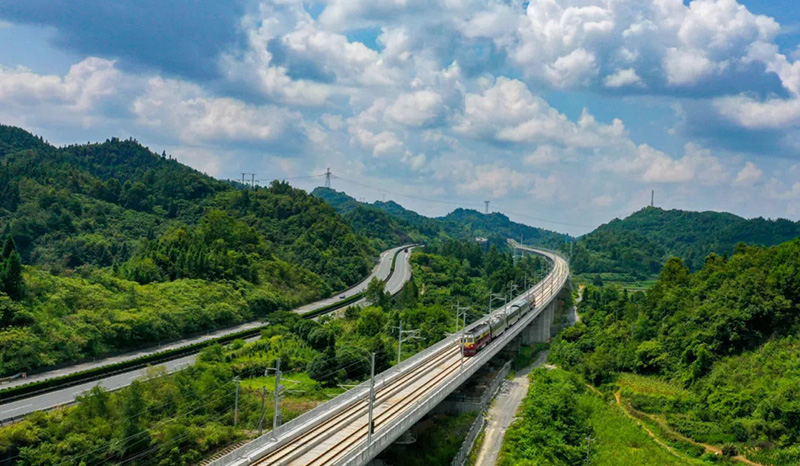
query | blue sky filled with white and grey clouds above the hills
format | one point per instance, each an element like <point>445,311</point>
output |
<point>564,114</point>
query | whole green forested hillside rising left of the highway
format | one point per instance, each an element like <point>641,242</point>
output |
<point>124,247</point>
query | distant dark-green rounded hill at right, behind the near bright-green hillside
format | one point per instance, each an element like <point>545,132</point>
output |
<point>640,243</point>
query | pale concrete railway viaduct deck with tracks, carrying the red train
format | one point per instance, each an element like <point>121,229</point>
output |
<point>335,433</point>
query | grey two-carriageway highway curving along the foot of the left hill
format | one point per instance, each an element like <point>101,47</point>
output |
<point>15,409</point>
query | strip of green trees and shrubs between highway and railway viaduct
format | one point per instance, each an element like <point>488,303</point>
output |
<point>180,419</point>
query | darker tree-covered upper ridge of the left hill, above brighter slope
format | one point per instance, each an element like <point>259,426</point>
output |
<point>94,203</point>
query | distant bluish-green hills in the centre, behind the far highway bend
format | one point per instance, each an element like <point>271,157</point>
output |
<point>392,222</point>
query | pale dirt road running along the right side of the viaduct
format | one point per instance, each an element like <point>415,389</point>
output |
<point>503,412</point>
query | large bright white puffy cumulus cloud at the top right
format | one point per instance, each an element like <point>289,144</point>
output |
<point>651,39</point>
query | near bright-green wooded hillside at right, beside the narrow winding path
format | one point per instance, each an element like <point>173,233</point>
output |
<point>723,340</point>
